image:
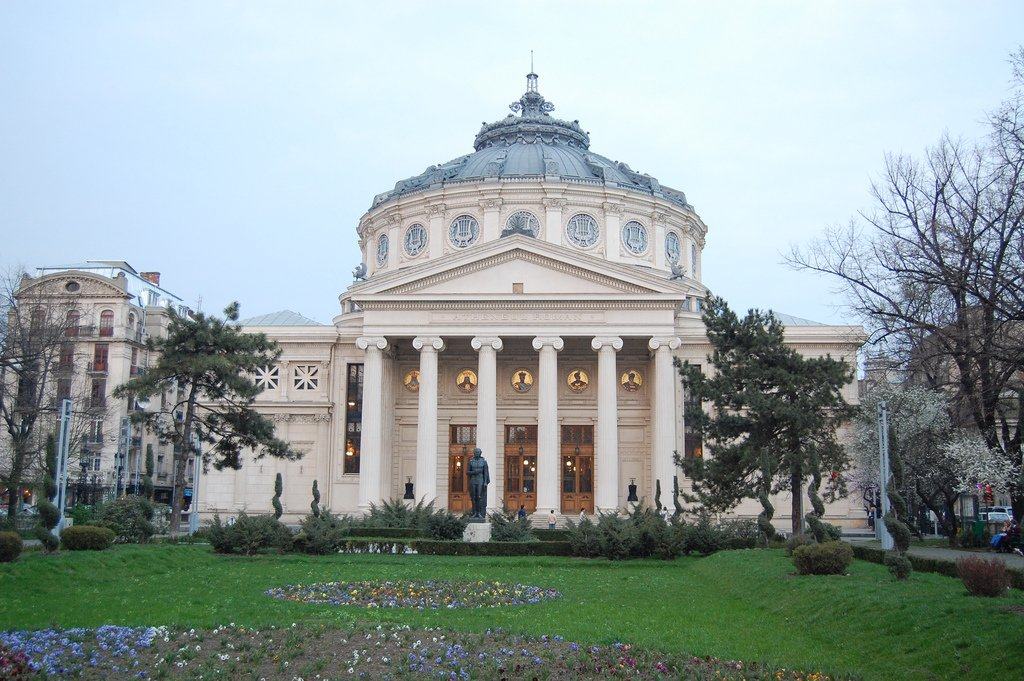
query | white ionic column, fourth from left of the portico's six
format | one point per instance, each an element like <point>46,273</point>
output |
<point>548,478</point>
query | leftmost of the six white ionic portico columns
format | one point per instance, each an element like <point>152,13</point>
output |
<point>371,438</point>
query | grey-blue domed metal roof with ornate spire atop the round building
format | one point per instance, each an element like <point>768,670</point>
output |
<point>534,145</point>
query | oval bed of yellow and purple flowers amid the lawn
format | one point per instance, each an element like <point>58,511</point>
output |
<point>431,594</point>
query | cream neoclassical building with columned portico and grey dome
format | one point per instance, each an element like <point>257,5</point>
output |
<point>529,300</point>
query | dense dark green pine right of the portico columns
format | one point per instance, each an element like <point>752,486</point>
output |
<point>774,417</point>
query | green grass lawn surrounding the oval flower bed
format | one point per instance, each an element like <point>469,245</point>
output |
<point>740,605</point>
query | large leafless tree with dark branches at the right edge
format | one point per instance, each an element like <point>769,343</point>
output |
<point>936,271</point>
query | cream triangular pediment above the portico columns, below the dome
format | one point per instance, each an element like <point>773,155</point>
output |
<point>542,269</point>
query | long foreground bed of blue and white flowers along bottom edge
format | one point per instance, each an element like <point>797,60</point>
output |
<point>363,652</point>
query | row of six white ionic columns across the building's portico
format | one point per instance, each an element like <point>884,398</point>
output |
<point>607,438</point>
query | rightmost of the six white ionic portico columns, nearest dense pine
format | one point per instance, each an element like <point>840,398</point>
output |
<point>664,437</point>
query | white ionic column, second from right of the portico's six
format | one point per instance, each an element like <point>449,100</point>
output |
<point>607,464</point>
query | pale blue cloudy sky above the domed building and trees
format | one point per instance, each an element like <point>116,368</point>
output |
<point>234,146</point>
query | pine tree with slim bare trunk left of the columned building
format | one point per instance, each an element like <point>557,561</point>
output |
<point>205,366</point>
